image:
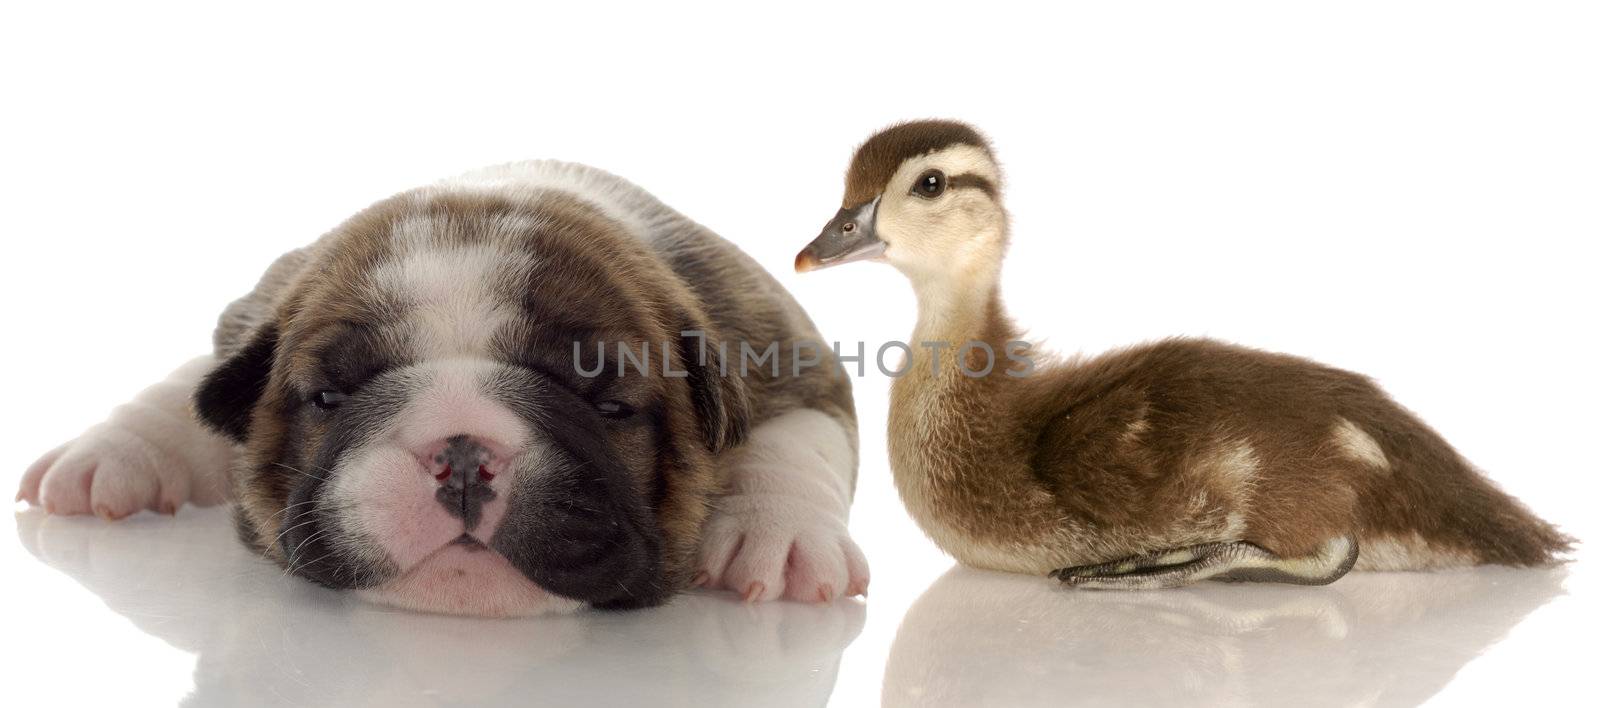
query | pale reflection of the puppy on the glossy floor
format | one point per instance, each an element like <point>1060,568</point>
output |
<point>265,640</point>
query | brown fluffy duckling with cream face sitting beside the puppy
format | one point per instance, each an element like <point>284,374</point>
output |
<point>1151,467</point>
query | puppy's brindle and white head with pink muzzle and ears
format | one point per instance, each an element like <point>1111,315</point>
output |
<point>418,428</point>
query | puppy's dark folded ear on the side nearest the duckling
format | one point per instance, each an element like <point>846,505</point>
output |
<point>718,392</point>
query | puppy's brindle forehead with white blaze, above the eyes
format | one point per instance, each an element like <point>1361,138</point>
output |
<point>444,276</point>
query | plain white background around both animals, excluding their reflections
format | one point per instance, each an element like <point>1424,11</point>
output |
<point>1404,190</point>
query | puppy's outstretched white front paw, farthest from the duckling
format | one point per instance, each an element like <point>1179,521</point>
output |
<point>116,470</point>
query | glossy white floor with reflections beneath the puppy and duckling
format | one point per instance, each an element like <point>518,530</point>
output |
<point>158,611</point>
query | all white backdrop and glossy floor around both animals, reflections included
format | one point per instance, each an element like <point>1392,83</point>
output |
<point>1404,190</point>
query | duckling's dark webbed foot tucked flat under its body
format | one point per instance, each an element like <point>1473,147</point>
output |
<point>1236,561</point>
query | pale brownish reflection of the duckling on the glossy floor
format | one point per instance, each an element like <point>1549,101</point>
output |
<point>1372,640</point>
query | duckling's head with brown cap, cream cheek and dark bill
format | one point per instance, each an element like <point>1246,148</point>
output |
<point>921,196</point>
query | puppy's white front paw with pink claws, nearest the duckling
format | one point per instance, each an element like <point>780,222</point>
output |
<point>769,547</point>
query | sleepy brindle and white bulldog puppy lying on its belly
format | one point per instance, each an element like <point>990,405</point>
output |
<point>527,390</point>
